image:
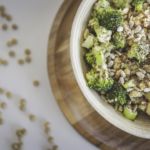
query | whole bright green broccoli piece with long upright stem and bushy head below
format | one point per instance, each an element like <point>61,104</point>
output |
<point>98,79</point>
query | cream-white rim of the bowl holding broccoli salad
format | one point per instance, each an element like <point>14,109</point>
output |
<point>93,101</point>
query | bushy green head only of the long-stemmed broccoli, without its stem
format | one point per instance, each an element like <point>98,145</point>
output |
<point>99,81</point>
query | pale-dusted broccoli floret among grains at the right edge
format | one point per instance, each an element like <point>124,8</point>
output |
<point>138,52</point>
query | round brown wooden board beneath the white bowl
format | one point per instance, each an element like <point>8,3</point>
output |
<point>69,97</point>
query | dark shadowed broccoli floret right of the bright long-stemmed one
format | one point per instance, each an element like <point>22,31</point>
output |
<point>118,93</point>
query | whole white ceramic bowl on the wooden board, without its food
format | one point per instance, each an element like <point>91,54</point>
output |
<point>140,127</point>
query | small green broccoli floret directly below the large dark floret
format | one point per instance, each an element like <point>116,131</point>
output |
<point>119,40</point>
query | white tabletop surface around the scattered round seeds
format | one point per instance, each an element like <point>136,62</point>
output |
<point>34,18</point>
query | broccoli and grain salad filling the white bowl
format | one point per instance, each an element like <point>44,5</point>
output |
<point>116,45</point>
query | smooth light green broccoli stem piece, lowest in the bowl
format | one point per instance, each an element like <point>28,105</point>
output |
<point>129,113</point>
